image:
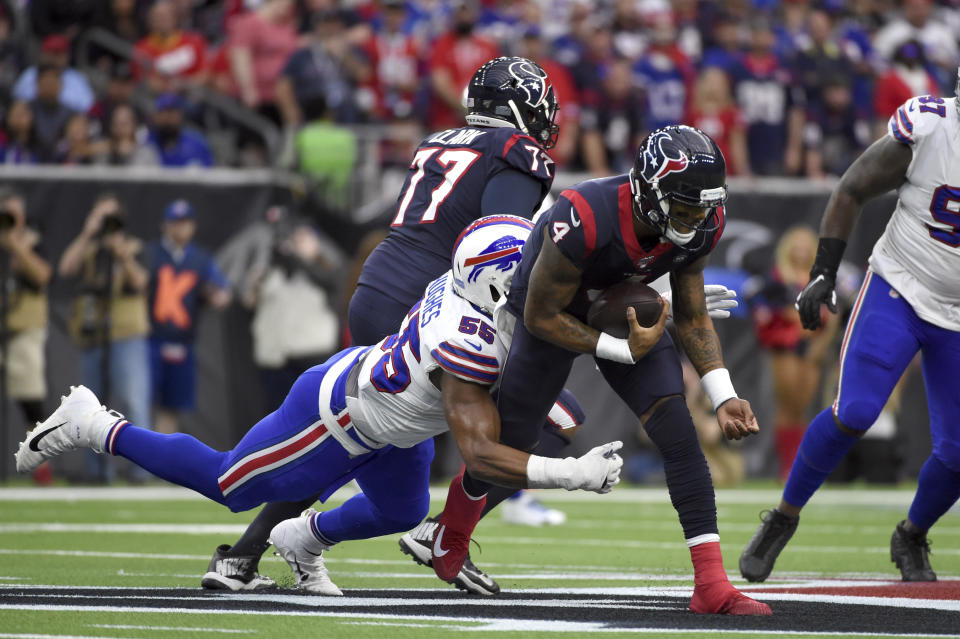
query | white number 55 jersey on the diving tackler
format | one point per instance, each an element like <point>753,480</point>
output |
<point>397,403</point>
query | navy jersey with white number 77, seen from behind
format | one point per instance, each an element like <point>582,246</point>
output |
<point>441,195</point>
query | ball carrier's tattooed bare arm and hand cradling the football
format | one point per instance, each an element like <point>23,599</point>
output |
<point>554,281</point>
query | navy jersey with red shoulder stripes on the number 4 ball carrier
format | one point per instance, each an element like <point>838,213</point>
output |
<point>592,225</point>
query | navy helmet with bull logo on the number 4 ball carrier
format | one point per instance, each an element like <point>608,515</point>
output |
<point>677,164</point>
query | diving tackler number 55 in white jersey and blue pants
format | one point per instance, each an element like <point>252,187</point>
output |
<point>360,415</point>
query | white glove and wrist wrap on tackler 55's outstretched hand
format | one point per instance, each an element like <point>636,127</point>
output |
<point>598,470</point>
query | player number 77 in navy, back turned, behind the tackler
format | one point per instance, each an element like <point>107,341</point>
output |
<point>497,164</point>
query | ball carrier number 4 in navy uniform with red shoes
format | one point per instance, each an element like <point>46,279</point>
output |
<point>665,216</point>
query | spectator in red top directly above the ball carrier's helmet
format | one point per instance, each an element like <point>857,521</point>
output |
<point>716,114</point>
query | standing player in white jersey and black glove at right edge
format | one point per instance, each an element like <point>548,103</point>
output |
<point>909,302</point>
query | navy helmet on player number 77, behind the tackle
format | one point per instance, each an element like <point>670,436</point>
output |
<point>515,92</point>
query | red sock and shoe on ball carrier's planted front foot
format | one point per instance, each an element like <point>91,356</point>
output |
<point>712,592</point>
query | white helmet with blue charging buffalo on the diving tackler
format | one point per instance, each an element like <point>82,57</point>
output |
<point>486,256</point>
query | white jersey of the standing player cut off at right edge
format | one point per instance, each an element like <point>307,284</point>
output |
<point>919,252</point>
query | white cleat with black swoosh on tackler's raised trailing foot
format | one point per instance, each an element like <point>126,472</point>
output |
<point>79,422</point>
